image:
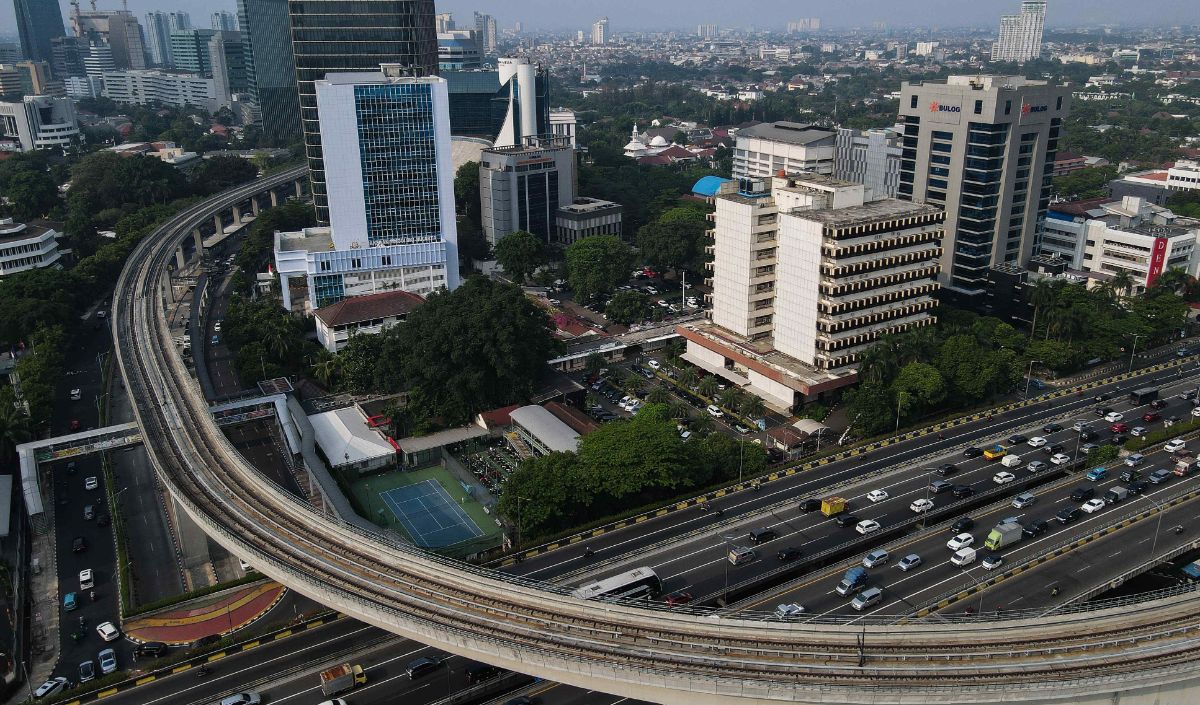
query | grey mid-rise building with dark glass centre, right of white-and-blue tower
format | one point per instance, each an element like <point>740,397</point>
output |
<point>523,186</point>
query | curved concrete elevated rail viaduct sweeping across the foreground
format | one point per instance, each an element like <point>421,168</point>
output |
<point>1144,654</point>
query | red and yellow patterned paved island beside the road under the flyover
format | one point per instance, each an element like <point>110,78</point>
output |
<point>217,614</point>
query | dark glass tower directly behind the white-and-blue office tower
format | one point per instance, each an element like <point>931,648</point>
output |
<point>338,37</point>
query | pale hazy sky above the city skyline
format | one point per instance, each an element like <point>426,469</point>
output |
<point>640,15</point>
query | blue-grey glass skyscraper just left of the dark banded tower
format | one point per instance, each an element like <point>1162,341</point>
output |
<point>271,69</point>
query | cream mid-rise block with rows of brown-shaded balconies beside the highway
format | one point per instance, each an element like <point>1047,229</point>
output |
<point>808,274</point>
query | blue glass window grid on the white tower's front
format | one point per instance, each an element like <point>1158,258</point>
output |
<point>400,168</point>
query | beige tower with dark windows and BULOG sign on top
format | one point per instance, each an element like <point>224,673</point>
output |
<point>983,149</point>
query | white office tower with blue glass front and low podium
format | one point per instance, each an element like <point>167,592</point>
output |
<point>391,180</point>
